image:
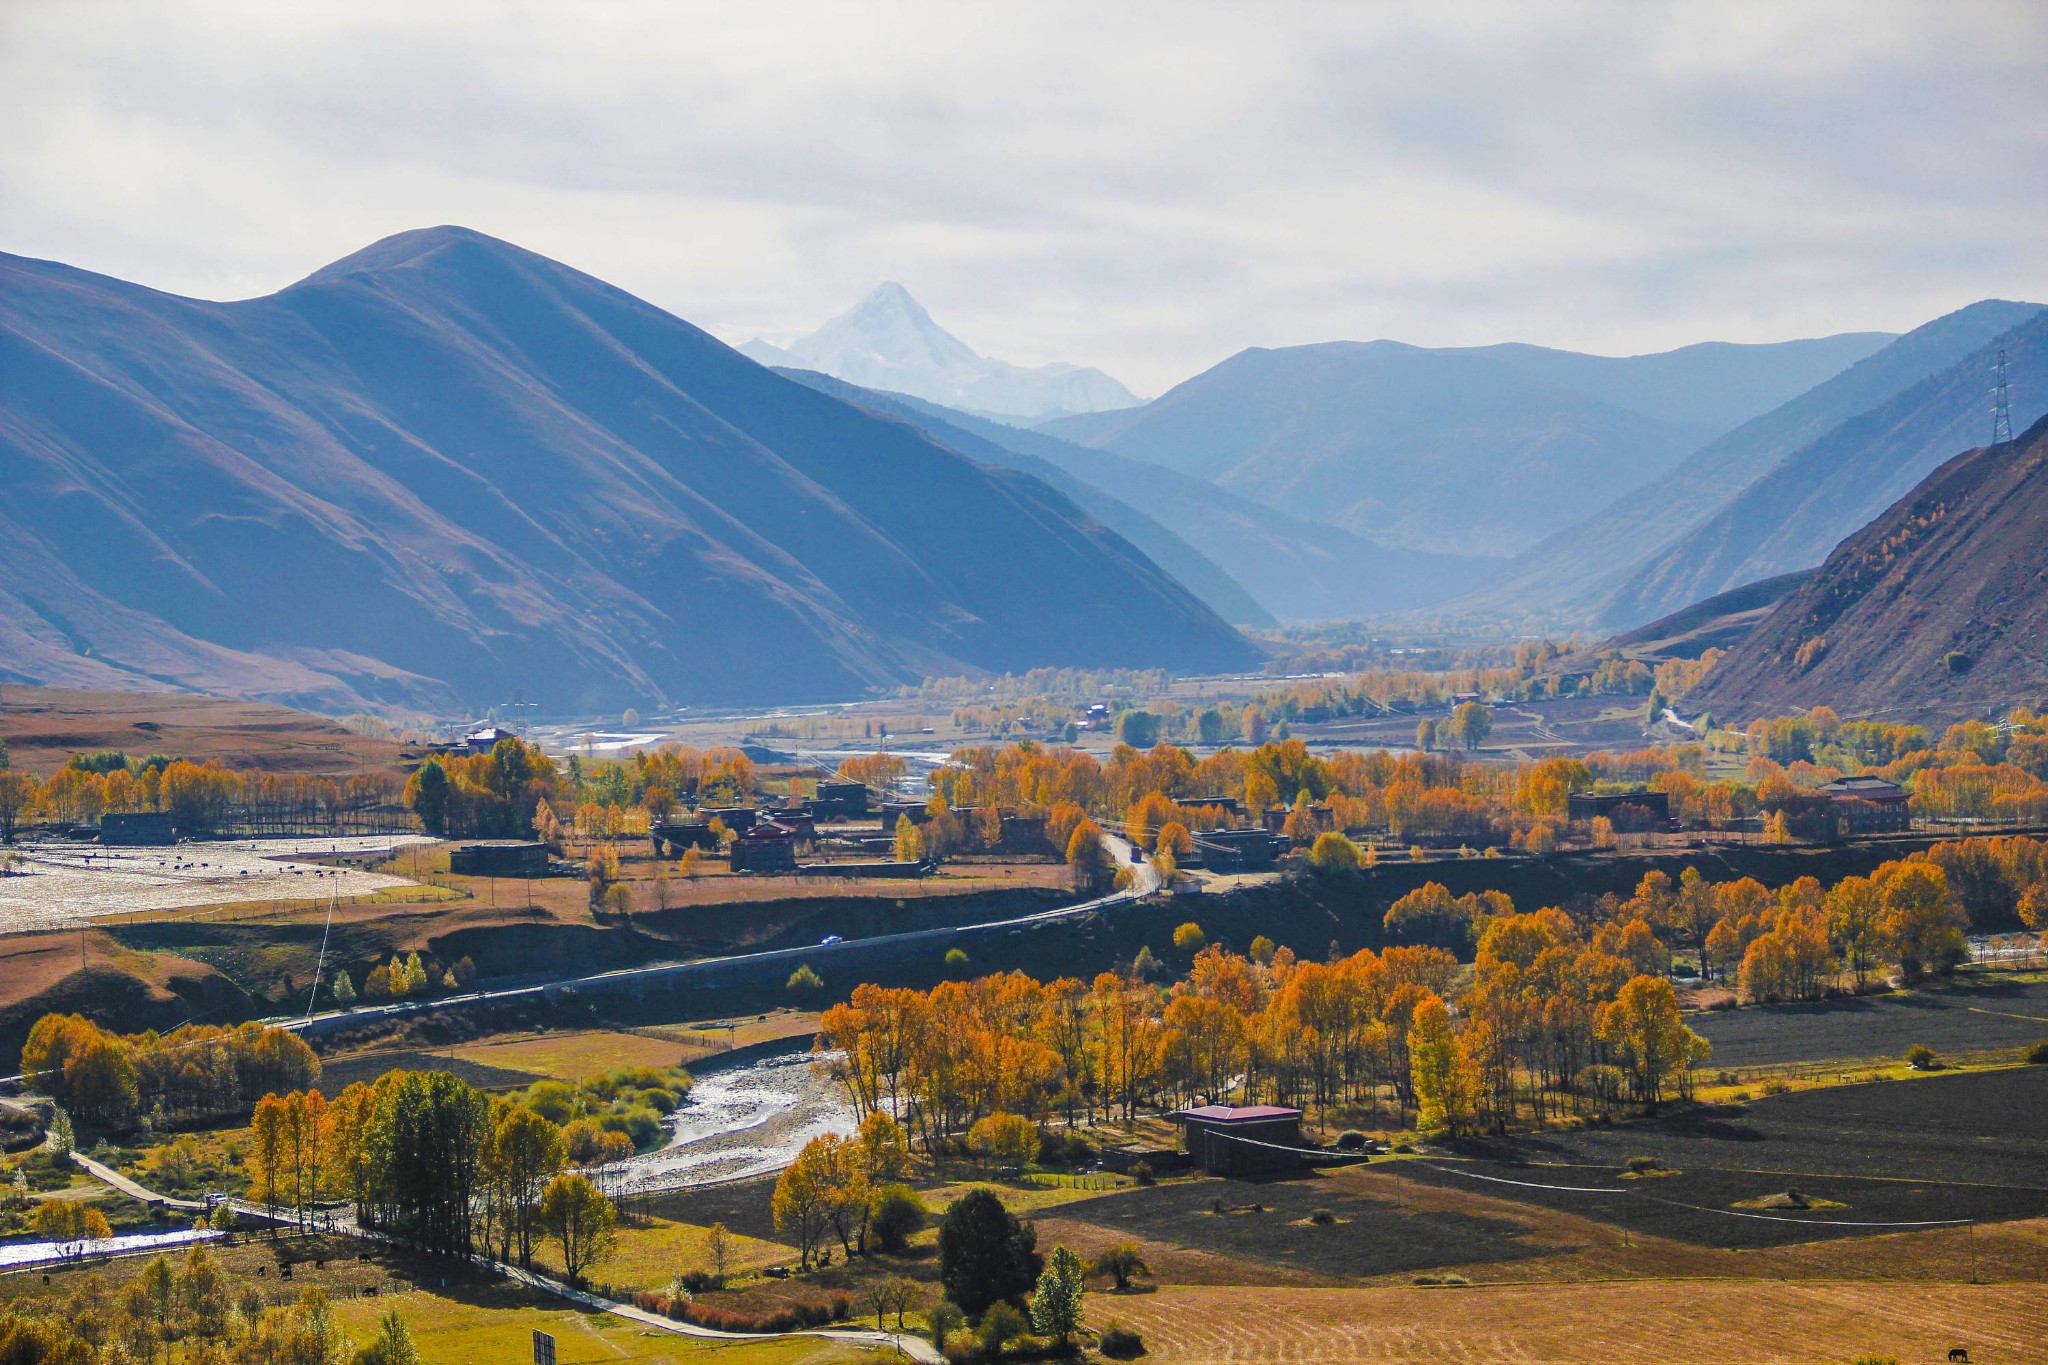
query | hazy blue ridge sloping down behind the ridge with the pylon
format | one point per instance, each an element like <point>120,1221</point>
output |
<point>1576,570</point>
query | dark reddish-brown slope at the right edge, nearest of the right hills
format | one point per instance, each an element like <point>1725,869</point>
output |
<point>1932,613</point>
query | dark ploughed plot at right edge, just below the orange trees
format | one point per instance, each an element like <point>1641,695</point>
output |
<point>1963,1016</point>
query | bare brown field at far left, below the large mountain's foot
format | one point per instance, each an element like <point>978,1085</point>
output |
<point>44,728</point>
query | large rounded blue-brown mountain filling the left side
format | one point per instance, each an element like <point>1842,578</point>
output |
<point>445,468</point>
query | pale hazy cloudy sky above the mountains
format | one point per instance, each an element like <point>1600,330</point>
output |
<point>1125,185</point>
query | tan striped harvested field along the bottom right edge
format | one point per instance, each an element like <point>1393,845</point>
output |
<point>1689,1321</point>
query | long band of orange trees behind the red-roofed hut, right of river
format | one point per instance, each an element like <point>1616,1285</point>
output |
<point>1566,1022</point>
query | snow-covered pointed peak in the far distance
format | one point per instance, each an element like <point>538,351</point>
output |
<point>890,343</point>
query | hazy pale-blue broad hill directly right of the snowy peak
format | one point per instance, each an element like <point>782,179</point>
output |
<point>1476,451</point>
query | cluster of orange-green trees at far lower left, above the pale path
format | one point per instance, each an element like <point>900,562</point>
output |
<point>196,1071</point>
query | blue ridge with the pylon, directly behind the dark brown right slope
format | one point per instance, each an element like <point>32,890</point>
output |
<point>1797,513</point>
